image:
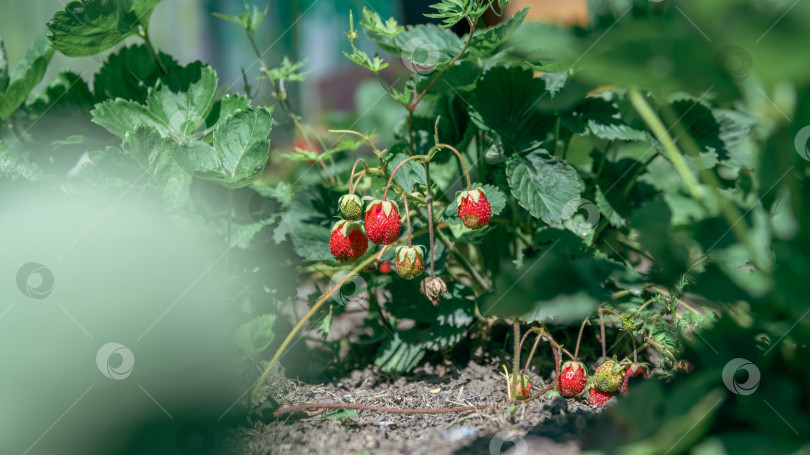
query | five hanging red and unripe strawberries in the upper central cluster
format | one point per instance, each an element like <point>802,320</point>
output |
<point>383,225</point>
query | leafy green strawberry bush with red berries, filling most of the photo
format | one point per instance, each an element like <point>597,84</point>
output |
<point>635,191</point>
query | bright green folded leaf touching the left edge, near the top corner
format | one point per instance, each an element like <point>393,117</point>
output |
<point>25,76</point>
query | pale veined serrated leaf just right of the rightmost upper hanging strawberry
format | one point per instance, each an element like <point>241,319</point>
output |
<point>543,184</point>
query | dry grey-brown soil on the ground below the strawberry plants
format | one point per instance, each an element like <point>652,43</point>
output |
<point>549,425</point>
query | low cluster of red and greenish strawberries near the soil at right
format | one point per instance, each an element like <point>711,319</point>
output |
<point>609,377</point>
